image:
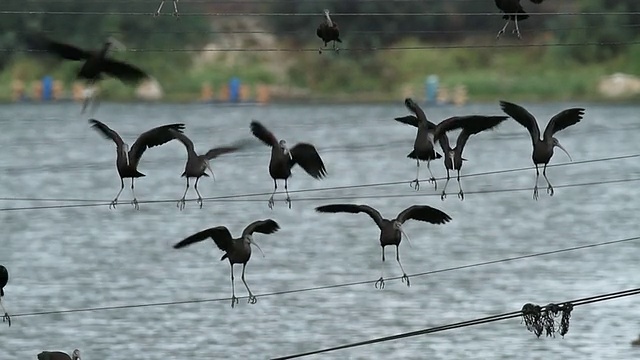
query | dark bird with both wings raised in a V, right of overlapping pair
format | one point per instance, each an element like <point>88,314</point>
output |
<point>543,149</point>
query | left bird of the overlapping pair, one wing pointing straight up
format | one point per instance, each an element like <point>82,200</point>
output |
<point>426,137</point>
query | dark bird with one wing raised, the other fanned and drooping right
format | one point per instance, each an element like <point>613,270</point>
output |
<point>283,159</point>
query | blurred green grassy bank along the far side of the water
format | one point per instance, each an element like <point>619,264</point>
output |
<point>524,73</point>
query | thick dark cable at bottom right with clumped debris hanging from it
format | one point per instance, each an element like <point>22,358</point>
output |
<point>484,320</point>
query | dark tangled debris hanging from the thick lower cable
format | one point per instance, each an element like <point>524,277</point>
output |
<point>539,319</point>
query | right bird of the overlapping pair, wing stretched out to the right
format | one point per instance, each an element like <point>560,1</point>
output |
<point>453,157</point>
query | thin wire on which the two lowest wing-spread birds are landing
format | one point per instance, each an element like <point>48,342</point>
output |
<point>334,286</point>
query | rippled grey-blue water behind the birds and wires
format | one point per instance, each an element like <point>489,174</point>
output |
<point>82,257</point>
